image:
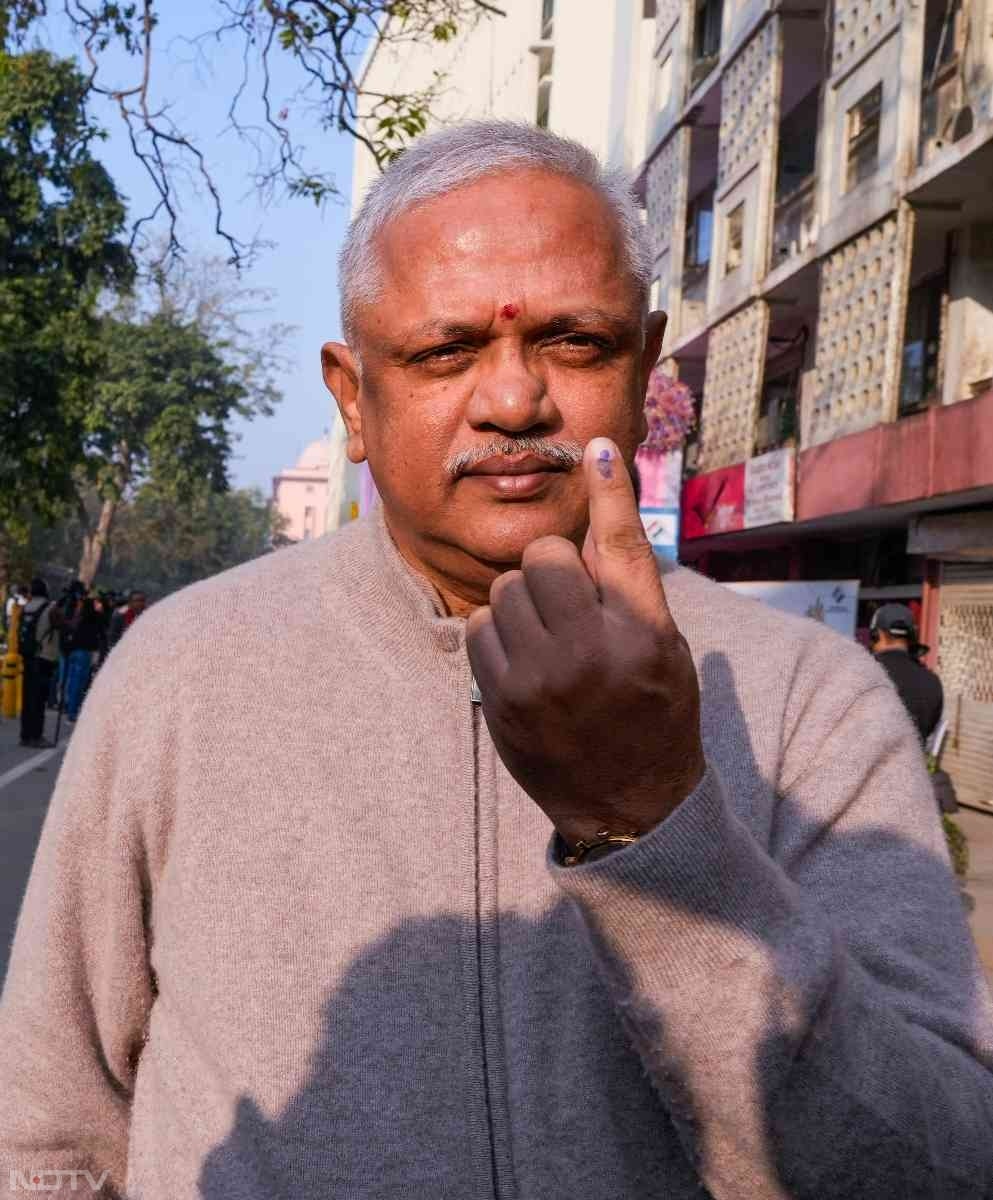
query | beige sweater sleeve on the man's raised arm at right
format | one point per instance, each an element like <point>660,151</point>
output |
<point>811,1012</point>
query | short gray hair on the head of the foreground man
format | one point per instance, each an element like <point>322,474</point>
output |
<point>459,155</point>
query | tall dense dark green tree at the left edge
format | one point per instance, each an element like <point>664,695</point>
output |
<point>61,248</point>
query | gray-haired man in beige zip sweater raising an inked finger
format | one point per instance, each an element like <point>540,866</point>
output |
<point>502,867</point>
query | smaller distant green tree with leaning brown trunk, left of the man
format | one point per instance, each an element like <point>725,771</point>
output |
<point>161,415</point>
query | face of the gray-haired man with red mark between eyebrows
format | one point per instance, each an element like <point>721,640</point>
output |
<point>504,315</point>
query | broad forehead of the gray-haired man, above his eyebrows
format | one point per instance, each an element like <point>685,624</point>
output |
<point>525,236</point>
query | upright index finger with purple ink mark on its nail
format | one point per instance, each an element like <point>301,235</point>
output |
<point>619,553</point>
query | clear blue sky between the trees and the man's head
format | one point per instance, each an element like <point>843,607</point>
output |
<point>299,269</point>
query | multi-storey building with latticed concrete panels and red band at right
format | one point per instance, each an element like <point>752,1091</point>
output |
<point>819,181</point>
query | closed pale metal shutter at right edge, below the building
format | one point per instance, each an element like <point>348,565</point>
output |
<point>966,667</point>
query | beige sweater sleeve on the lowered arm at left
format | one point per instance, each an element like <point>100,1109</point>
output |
<point>80,987</point>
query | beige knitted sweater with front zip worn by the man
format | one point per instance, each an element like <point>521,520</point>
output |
<point>293,931</point>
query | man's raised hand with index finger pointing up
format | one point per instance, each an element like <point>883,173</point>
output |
<point>589,691</point>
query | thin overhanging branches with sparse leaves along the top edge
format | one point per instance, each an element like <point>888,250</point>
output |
<point>326,41</point>
